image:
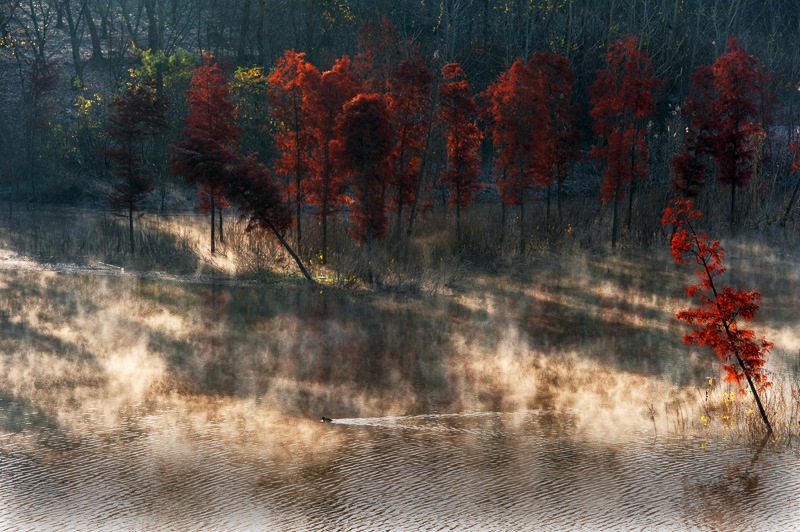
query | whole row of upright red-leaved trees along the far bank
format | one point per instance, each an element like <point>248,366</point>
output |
<point>426,129</point>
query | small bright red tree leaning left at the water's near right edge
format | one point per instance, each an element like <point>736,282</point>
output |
<point>716,319</point>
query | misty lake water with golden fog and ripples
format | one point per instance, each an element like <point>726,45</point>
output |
<point>559,399</point>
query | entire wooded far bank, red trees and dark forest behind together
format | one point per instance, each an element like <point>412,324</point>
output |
<point>304,111</point>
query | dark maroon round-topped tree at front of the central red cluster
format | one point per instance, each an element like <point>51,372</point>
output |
<point>364,141</point>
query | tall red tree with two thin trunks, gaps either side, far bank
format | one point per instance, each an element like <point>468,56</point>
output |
<point>623,100</point>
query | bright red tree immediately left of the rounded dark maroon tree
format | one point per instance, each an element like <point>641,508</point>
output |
<point>323,106</point>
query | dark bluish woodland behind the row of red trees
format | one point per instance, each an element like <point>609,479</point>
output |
<point>62,63</point>
